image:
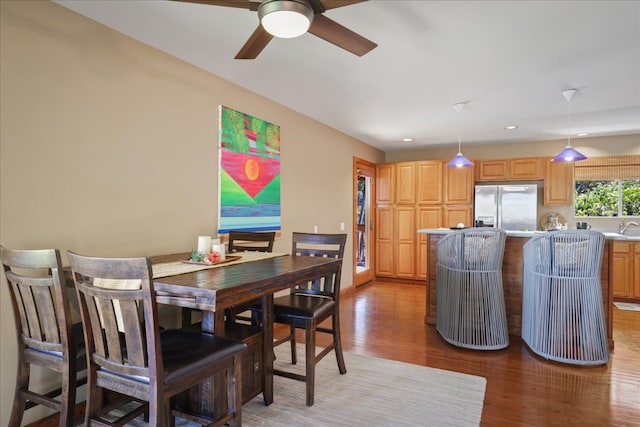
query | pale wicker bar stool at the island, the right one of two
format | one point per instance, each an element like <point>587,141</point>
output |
<point>562,313</point>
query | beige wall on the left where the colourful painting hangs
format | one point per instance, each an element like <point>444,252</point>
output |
<point>108,147</point>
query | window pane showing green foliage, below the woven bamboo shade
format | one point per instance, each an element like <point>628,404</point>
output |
<point>607,198</point>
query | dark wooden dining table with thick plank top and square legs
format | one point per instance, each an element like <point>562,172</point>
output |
<point>213,290</point>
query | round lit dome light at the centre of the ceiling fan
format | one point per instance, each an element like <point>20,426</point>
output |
<point>285,18</point>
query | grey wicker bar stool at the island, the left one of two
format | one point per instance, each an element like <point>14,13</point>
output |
<point>470,297</point>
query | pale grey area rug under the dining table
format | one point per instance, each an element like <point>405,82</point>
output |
<point>374,392</point>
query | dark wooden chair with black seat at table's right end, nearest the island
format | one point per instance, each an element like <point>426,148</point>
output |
<point>309,304</point>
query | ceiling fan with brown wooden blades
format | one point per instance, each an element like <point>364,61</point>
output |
<point>318,24</point>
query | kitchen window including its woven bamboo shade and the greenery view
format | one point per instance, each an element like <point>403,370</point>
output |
<point>608,186</point>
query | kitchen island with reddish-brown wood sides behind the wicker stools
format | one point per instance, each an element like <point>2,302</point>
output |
<point>512,269</point>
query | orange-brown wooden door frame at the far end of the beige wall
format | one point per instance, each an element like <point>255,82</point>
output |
<point>370,171</point>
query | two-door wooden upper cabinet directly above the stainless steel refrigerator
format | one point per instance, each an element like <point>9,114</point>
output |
<point>520,169</point>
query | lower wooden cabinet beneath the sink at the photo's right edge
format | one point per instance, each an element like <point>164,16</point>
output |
<point>626,271</point>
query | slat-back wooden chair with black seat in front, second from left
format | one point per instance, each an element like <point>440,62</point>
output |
<point>130,355</point>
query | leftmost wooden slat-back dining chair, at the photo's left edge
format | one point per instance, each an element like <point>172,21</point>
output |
<point>46,334</point>
